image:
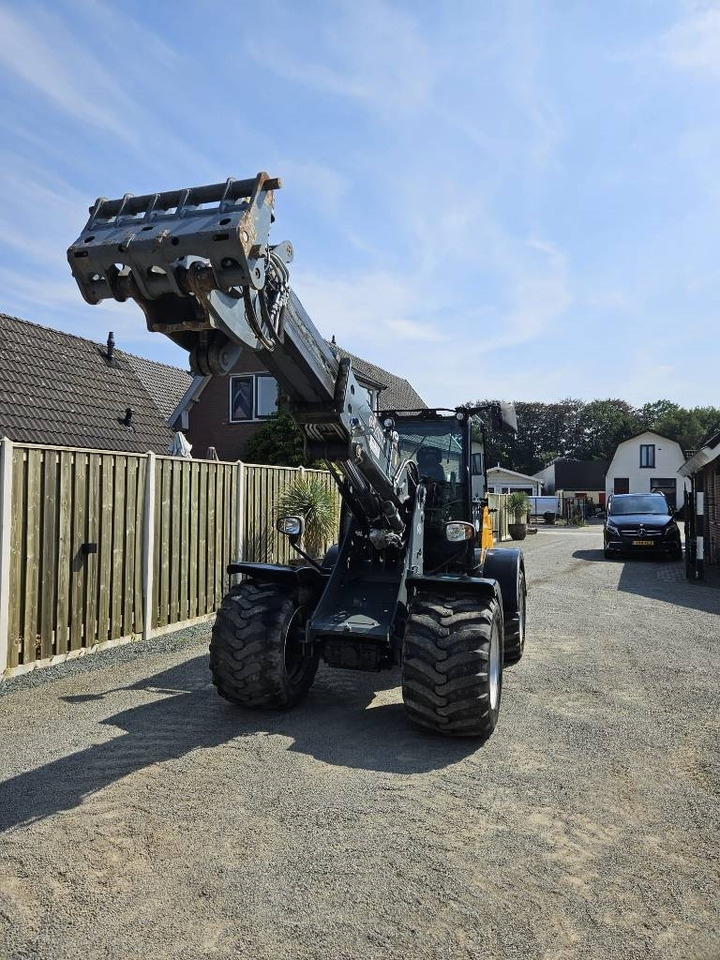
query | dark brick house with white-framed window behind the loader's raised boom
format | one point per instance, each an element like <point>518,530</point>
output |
<point>224,412</point>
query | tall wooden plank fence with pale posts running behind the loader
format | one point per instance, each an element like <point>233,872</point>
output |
<point>98,548</point>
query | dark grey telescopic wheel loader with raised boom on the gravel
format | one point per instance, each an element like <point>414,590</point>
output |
<point>413,579</point>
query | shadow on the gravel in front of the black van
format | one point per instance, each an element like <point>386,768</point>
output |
<point>653,577</point>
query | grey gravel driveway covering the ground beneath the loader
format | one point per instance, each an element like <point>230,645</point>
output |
<point>144,817</point>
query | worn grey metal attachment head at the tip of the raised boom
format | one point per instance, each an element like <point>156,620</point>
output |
<point>196,261</point>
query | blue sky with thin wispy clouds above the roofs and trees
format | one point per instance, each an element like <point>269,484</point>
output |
<point>514,199</point>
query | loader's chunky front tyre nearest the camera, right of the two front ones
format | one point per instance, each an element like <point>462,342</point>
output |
<point>452,664</point>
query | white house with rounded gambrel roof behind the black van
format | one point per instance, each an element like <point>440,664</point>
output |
<point>645,463</point>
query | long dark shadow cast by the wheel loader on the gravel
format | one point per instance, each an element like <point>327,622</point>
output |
<point>337,724</point>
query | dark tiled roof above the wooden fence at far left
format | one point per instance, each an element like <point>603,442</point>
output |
<point>58,389</point>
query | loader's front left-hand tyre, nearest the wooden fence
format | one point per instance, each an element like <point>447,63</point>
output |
<point>256,657</point>
